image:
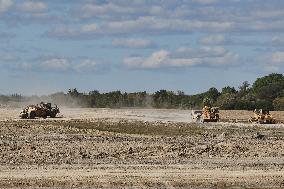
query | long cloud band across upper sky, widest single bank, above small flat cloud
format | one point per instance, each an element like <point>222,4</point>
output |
<point>142,25</point>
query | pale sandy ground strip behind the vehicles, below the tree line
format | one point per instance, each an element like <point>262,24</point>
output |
<point>163,115</point>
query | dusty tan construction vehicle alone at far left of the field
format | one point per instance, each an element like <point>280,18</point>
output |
<point>43,110</point>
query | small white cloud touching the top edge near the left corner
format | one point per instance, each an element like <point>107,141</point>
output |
<point>32,6</point>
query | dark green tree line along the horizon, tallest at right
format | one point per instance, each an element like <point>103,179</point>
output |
<point>266,92</point>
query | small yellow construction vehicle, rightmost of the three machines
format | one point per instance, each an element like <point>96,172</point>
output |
<point>262,116</point>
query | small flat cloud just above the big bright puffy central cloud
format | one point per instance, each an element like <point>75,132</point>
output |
<point>133,43</point>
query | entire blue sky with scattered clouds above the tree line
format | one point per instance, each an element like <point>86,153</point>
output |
<point>48,46</point>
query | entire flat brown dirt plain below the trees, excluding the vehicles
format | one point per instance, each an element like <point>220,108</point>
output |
<point>139,148</point>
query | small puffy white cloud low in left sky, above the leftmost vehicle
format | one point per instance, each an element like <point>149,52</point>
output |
<point>56,64</point>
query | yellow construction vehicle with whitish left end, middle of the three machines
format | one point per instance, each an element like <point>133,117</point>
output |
<point>207,114</point>
